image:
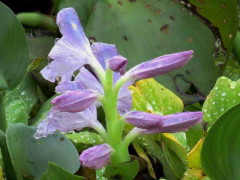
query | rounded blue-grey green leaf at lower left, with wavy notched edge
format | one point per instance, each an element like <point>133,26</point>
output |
<point>31,156</point>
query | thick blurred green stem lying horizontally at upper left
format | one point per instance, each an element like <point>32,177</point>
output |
<point>38,20</point>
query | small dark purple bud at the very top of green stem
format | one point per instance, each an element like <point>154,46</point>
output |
<point>118,64</point>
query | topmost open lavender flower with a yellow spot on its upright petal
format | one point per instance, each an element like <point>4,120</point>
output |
<point>70,52</point>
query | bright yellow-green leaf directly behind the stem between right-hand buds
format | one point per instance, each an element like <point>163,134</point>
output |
<point>149,95</point>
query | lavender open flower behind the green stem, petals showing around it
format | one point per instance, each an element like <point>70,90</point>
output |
<point>86,80</point>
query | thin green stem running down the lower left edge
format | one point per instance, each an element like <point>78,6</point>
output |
<point>7,163</point>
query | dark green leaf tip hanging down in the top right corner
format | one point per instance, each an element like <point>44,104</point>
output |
<point>222,14</point>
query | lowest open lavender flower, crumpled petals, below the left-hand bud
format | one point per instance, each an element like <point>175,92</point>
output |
<point>65,122</point>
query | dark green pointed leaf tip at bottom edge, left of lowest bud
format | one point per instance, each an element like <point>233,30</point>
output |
<point>54,172</point>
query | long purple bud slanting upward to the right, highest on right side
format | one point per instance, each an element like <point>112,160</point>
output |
<point>160,65</point>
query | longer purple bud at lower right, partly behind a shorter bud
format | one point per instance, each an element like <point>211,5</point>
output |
<point>177,122</point>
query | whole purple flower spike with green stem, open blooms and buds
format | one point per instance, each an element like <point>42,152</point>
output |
<point>76,107</point>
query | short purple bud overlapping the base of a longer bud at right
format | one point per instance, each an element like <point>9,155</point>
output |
<point>144,120</point>
